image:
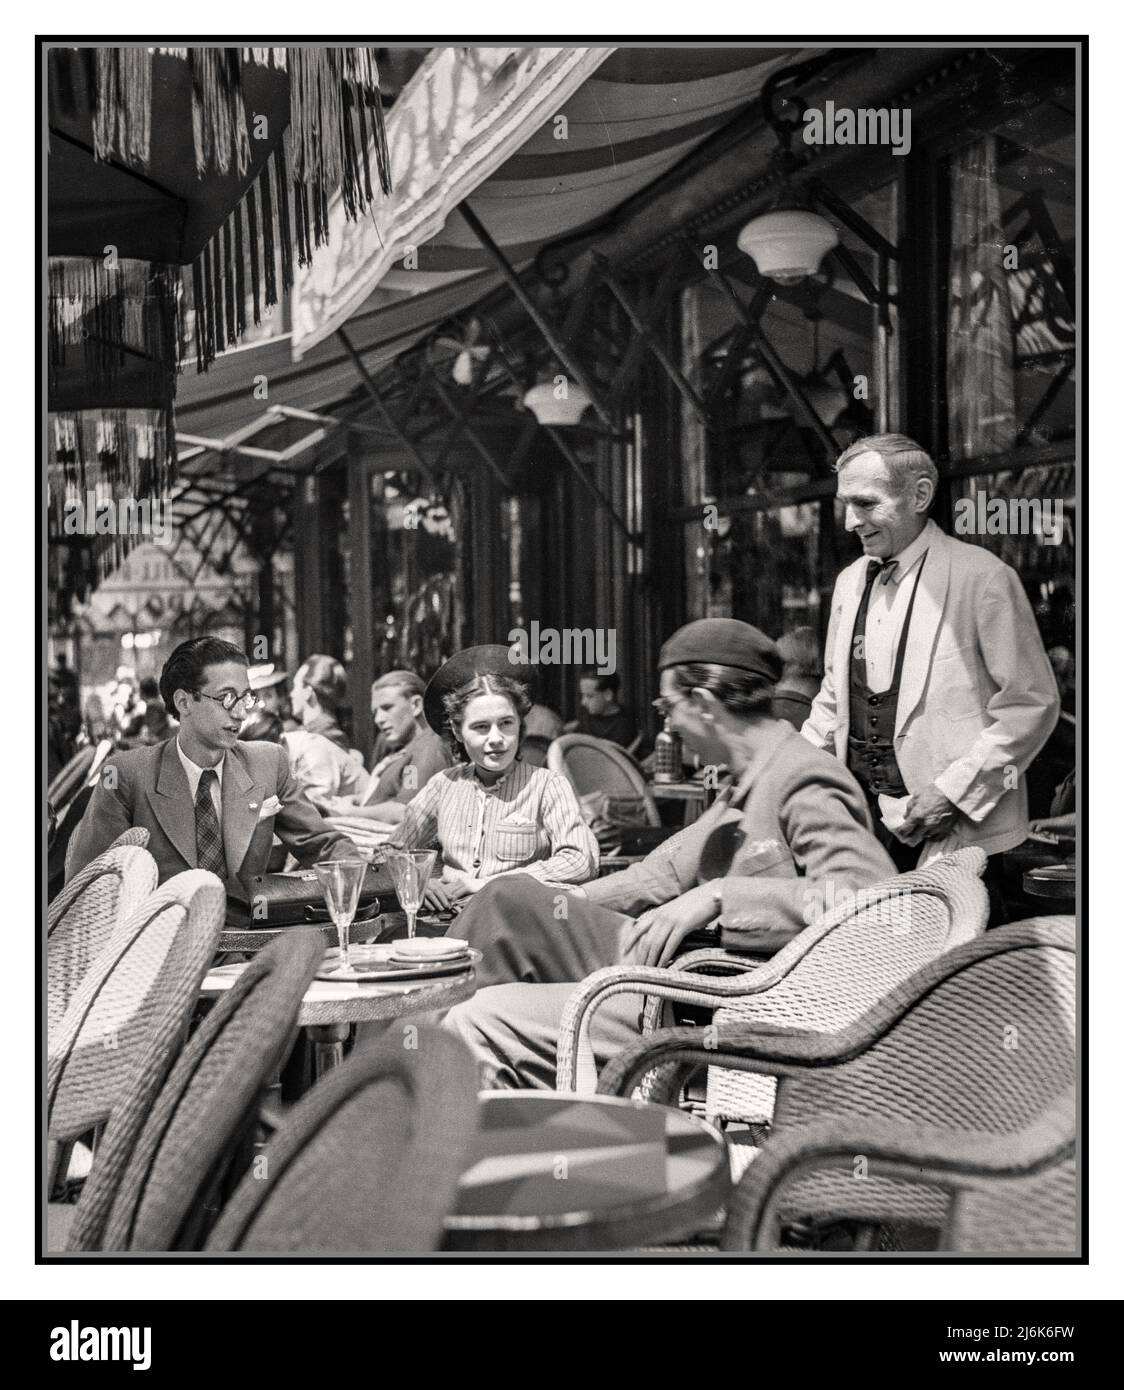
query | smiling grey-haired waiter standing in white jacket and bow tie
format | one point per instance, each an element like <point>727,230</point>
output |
<point>937,689</point>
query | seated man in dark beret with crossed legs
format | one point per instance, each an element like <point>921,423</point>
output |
<point>791,833</point>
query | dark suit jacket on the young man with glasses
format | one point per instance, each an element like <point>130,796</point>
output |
<point>149,789</point>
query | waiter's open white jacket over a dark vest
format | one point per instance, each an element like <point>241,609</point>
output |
<point>979,697</point>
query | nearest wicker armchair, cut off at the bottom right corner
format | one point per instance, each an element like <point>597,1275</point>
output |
<point>1011,1195</point>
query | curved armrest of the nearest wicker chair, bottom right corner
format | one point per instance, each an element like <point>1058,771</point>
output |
<point>920,1154</point>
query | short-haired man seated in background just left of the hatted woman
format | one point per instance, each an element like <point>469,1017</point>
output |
<point>415,753</point>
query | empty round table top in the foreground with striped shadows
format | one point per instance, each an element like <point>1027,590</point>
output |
<point>552,1171</point>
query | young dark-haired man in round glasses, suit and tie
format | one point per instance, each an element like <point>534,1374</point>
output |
<point>206,800</point>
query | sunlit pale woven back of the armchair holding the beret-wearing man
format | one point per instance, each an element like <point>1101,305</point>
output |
<point>859,951</point>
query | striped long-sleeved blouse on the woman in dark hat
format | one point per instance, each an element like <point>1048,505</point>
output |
<point>529,822</point>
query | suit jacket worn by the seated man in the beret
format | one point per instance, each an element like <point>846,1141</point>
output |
<point>788,842</point>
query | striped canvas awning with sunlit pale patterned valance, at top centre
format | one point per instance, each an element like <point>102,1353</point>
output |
<point>547,141</point>
